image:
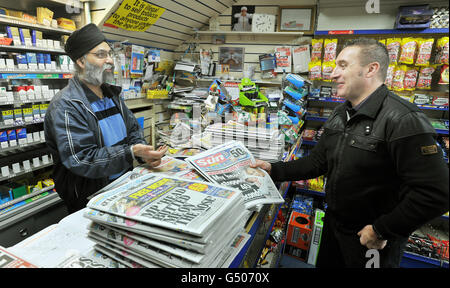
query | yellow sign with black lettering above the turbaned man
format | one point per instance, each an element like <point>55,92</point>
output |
<point>135,15</point>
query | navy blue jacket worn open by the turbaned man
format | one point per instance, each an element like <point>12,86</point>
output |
<point>82,162</point>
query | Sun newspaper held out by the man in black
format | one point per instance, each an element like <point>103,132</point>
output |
<point>228,164</point>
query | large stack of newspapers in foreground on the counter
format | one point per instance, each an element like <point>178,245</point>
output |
<point>167,221</point>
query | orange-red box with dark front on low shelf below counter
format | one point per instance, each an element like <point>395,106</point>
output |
<point>299,230</point>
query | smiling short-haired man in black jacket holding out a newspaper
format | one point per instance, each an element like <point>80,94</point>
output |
<point>386,176</point>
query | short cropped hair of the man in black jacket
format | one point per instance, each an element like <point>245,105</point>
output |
<point>371,50</point>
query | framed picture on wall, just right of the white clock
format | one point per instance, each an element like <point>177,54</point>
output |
<point>297,19</point>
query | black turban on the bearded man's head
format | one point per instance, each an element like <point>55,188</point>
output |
<point>83,40</point>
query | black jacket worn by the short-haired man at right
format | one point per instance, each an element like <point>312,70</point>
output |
<point>382,167</point>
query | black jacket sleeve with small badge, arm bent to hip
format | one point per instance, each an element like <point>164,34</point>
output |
<point>424,174</point>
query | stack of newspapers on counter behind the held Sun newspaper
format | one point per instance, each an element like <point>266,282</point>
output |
<point>264,144</point>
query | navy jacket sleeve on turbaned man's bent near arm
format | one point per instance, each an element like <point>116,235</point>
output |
<point>77,145</point>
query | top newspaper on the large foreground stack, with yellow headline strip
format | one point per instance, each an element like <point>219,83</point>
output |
<point>169,202</point>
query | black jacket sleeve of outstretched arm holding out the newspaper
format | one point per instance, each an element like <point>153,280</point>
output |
<point>311,166</point>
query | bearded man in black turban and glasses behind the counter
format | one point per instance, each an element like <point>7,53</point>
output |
<point>92,135</point>
